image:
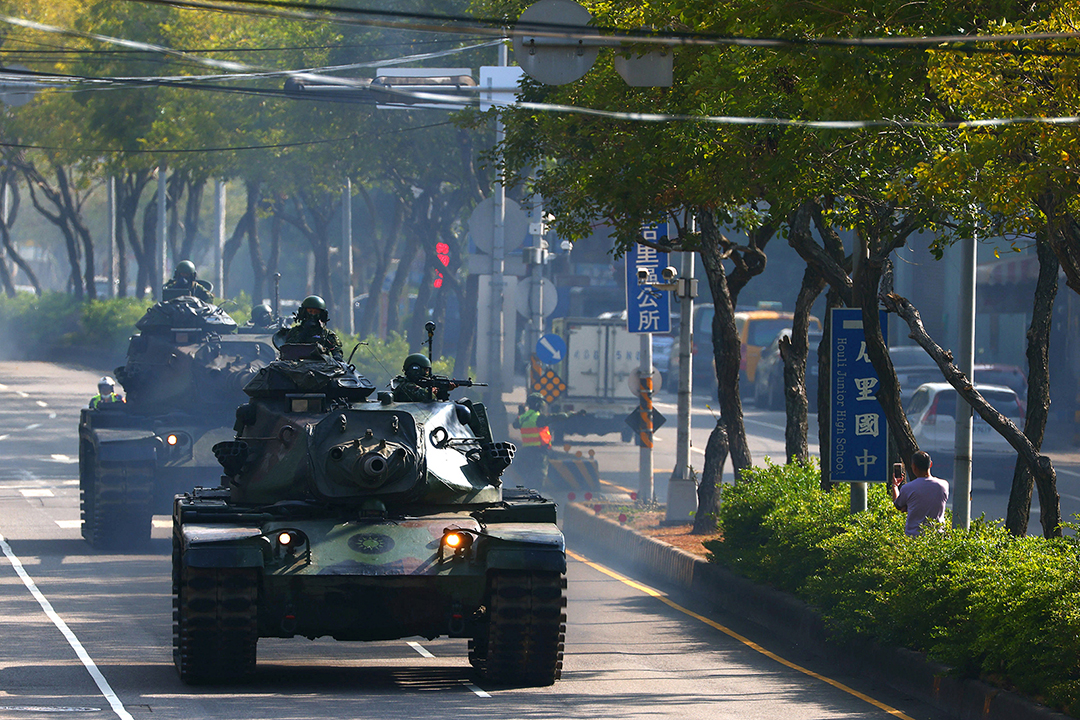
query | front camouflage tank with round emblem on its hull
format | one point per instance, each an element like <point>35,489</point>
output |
<point>363,519</point>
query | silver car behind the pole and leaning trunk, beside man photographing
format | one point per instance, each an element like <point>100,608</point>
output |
<point>933,416</point>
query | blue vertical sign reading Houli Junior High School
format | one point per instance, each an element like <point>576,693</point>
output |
<point>859,433</point>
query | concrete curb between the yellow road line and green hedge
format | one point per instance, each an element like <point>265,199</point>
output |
<point>902,670</point>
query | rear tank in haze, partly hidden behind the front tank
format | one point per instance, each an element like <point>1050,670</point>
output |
<point>184,378</point>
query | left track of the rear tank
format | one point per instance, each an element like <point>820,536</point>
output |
<point>117,505</point>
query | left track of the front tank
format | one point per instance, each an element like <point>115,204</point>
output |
<point>215,622</point>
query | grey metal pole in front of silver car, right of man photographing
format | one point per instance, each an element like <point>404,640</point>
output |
<point>962,499</point>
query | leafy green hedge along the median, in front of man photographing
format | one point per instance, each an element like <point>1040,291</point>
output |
<point>991,606</point>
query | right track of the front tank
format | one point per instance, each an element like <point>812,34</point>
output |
<point>523,639</point>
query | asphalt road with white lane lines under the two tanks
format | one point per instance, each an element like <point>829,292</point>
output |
<point>89,635</point>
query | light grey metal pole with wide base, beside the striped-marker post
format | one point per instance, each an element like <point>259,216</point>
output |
<point>682,491</point>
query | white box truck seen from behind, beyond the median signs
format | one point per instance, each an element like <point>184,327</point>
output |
<point>601,358</point>
